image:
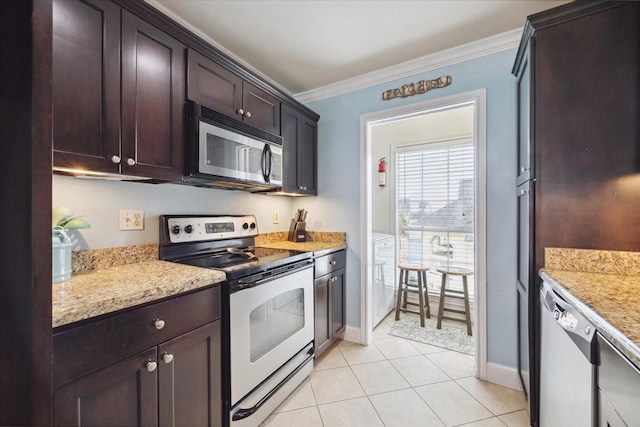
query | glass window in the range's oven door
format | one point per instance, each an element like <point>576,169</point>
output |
<point>276,320</point>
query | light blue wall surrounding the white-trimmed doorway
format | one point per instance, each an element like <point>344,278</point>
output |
<point>339,174</point>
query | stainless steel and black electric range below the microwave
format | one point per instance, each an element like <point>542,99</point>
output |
<point>267,308</point>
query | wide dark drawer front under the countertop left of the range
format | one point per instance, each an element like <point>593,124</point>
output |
<point>81,350</point>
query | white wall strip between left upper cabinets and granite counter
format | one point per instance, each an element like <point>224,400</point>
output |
<point>99,201</point>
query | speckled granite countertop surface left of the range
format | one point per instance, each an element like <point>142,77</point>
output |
<point>115,288</point>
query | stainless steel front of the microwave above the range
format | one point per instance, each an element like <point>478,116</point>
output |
<point>237,156</point>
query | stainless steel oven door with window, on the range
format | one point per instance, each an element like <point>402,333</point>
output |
<point>270,323</point>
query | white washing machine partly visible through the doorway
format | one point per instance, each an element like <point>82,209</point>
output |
<point>384,275</point>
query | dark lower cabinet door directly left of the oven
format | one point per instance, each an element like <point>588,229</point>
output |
<point>189,375</point>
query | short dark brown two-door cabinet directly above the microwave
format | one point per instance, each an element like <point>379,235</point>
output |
<point>218,88</point>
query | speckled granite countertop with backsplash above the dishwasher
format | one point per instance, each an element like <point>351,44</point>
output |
<point>607,293</point>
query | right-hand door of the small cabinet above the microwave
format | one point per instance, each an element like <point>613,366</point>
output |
<point>261,110</point>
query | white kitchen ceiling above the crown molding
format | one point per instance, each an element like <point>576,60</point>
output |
<point>302,45</point>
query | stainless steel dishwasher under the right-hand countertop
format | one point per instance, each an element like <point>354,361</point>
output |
<point>567,363</point>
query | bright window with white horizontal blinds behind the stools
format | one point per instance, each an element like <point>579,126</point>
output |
<point>435,206</point>
